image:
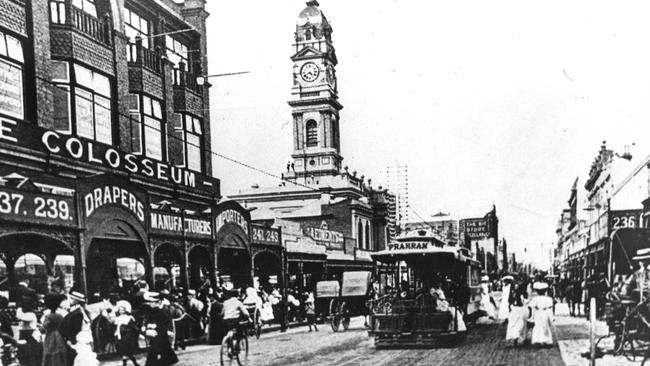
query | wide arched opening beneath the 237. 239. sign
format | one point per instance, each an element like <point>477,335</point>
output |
<point>34,257</point>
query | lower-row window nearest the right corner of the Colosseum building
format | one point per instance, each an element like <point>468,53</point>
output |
<point>188,129</point>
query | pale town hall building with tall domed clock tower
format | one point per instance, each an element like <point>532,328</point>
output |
<point>331,217</point>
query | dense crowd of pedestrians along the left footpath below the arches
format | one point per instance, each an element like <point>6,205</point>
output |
<point>62,328</point>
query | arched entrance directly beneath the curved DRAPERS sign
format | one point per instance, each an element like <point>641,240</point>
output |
<point>119,255</point>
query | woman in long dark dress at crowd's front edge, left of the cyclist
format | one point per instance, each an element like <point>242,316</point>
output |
<point>157,328</point>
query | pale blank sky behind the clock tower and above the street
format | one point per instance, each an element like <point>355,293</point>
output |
<point>487,102</point>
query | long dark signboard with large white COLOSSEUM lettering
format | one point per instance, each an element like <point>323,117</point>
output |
<point>93,152</point>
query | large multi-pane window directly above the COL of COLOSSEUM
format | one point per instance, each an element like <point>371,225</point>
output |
<point>87,97</point>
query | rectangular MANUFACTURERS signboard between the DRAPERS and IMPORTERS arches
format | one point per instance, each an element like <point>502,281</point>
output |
<point>174,223</point>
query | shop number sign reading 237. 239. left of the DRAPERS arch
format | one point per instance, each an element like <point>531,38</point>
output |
<point>37,207</point>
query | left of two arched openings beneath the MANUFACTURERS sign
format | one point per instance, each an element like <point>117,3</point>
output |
<point>168,267</point>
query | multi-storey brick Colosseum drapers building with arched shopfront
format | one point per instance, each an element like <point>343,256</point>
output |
<point>105,163</point>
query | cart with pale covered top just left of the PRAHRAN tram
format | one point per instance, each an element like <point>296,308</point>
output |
<point>347,300</point>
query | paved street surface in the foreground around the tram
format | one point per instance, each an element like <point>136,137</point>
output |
<point>484,346</point>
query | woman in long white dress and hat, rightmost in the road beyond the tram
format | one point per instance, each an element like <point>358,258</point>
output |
<point>541,307</point>
